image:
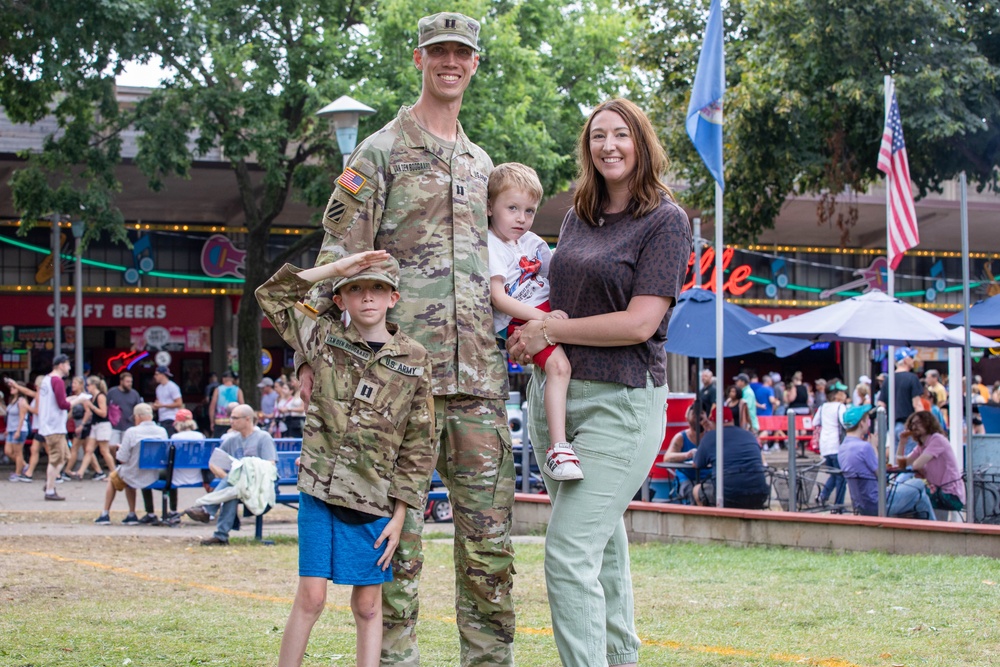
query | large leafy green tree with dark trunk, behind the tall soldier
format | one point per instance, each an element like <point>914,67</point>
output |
<point>247,78</point>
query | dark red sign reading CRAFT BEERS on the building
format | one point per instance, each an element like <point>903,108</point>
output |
<point>110,311</point>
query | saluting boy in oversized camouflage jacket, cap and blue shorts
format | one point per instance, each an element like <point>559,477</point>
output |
<point>367,447</point>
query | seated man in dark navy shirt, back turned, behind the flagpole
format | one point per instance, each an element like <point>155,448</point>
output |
<point>744,482</point>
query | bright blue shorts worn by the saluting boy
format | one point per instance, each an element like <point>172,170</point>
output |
<point>331,549</point>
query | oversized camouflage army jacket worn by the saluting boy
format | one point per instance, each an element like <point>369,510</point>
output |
<point>368,436</point>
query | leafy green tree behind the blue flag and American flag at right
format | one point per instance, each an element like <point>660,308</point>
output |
<point>804,104</point>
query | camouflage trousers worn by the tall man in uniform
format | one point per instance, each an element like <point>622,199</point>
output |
<point>477,465</point>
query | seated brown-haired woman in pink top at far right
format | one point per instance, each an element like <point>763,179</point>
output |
<point>934,460</point>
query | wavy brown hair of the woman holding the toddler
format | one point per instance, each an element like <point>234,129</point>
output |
<point>591,195</point>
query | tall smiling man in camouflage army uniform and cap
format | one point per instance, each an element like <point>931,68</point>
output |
<point>417,188</point>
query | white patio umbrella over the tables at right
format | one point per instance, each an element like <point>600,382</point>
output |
<point>875,318</point>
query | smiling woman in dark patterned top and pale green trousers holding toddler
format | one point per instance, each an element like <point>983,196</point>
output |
<point>622,255</point>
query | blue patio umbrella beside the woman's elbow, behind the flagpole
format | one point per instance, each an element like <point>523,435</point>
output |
<point>691,330</point>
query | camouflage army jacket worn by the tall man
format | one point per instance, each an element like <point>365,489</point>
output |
<point>425,202</point>
